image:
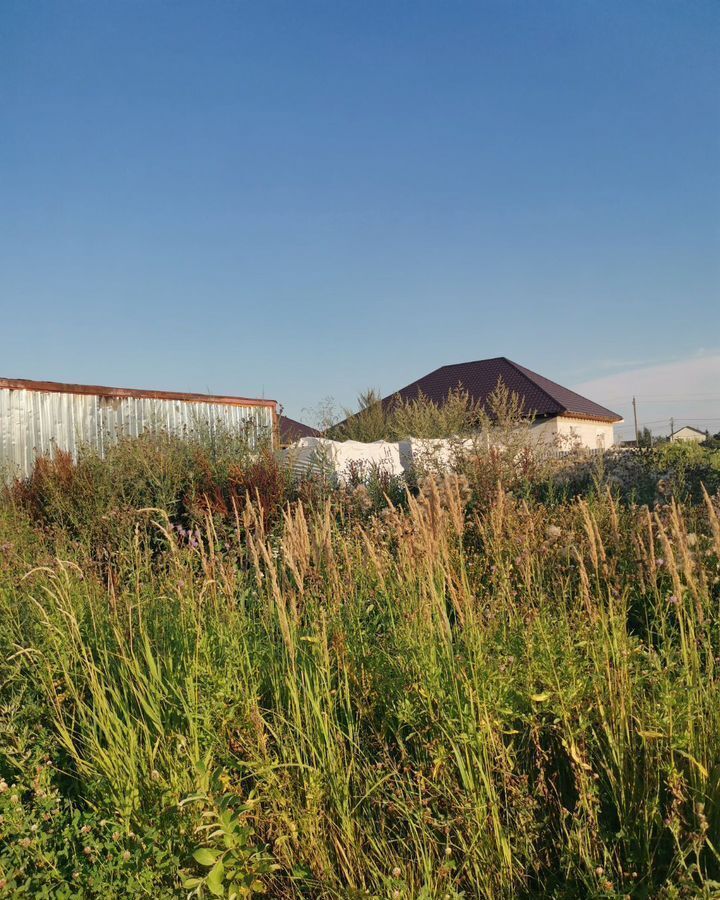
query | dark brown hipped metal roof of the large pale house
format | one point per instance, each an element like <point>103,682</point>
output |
<point>541,397</point>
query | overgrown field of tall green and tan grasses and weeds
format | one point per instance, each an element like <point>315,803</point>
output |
<point>491,685</point>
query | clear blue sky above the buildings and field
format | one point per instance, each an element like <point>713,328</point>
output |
<point>299,200</point>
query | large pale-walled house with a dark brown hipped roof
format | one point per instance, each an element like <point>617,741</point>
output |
<point>558,413</point>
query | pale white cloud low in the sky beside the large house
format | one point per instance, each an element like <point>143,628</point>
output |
<point>686,390</point>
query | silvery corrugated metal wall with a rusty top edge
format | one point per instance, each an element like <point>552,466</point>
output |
<point>40,417</point>
